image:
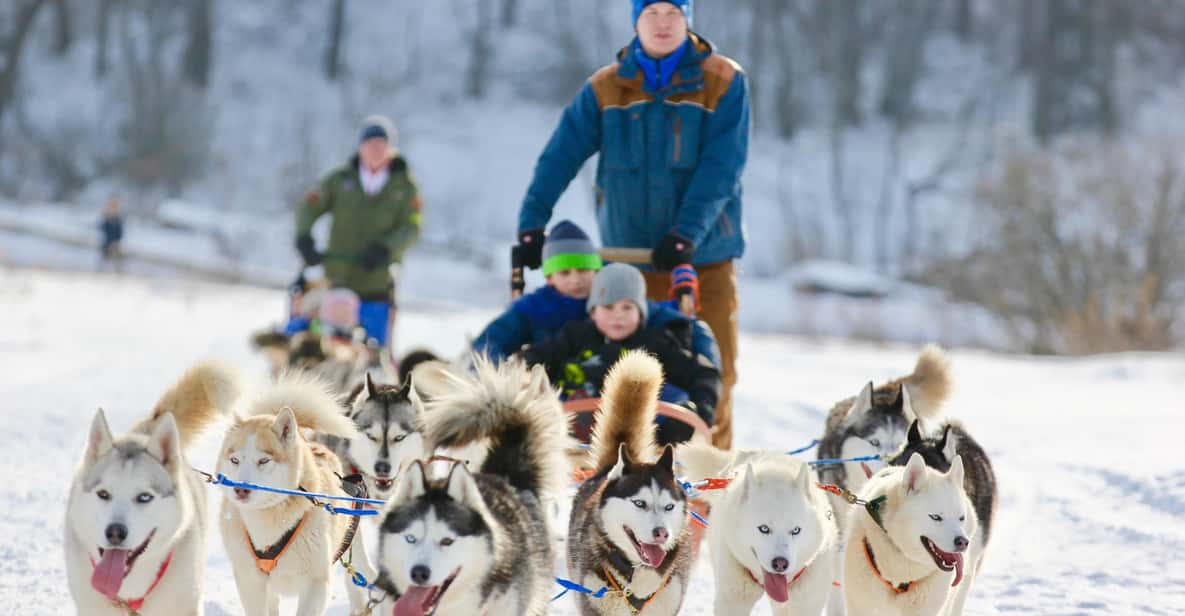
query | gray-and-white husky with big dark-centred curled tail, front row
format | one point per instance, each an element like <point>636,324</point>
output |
<point>478,542</point>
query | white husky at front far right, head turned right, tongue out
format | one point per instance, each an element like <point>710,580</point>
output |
<point>906,551</point>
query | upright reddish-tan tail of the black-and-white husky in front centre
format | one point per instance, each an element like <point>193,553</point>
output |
<point>629,405</point>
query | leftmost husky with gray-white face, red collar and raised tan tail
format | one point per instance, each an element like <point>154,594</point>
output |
<point>137,516</point>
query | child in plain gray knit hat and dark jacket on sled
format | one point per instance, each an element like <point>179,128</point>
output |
<point>579,357</point>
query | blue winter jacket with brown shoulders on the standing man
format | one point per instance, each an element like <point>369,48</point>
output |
<point>670,161</point>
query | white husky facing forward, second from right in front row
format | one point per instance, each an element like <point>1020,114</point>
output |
<point>773,531</point>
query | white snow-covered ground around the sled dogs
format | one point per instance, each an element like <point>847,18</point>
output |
<point>1093,484</point>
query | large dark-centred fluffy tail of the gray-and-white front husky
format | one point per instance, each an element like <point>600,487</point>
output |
<point>516,412</point>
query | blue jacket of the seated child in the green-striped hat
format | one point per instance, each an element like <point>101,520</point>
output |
<point>540,315</point>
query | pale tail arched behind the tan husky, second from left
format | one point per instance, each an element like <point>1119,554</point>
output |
<point>312,401</point>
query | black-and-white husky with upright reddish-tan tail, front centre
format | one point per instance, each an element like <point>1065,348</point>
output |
<point>629,525</point>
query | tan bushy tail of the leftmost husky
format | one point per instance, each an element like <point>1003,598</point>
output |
<point>204,394</point>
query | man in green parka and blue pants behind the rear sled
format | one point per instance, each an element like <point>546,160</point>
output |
<point>376,217</point>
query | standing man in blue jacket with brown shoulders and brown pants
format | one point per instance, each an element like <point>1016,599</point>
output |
<point>671,123</point>
